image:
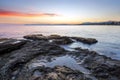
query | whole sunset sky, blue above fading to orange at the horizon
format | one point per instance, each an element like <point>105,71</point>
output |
<point>58,11</point>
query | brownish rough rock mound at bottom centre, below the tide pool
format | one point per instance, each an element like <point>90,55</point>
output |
<point>56,73</point>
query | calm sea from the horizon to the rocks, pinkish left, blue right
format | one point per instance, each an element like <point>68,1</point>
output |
<point>108,36</point>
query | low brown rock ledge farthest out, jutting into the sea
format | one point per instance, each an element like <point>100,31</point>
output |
<point>61,39</point>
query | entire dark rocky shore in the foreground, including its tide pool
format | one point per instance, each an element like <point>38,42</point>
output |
<point>39,57</point>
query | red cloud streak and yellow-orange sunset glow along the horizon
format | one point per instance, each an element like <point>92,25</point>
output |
<point>13,17</point>
